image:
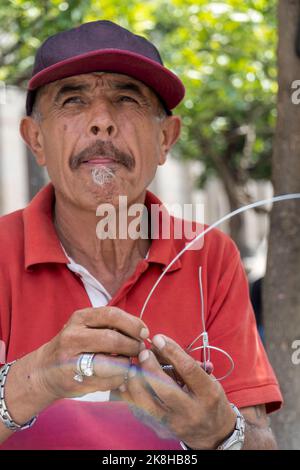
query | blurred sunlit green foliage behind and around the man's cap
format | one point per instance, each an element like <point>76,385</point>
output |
<point>224,51</point>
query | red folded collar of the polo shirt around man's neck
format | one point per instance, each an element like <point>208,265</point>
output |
<point>42,245</point>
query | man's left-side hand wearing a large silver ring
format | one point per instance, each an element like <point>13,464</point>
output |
<point>47,374</point>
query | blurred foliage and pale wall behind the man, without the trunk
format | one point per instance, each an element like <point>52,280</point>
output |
<point>225,54</point>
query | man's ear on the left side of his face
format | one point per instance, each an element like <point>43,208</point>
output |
<point>31,133</point>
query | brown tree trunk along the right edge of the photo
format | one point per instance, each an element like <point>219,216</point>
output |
<point>282,283</point>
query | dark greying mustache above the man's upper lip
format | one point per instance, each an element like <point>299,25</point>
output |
<point>106,149</point>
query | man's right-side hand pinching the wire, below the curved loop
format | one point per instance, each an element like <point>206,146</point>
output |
<point>199,414</point>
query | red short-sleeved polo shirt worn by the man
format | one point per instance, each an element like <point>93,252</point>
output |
<point>38,293</point>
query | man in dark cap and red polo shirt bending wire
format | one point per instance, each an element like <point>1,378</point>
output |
<point>74,348</point>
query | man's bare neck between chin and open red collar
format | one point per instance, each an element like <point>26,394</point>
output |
<point>111,261</point>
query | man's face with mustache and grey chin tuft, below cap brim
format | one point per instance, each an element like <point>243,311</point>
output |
<point>100,136</point>
